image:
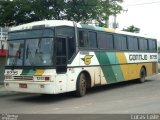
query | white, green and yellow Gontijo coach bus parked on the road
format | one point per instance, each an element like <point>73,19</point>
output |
<point>58,56</point>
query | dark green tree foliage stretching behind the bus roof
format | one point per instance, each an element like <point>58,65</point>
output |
<point>23,11</point>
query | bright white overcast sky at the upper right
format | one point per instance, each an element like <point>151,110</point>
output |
<point>144,14</point>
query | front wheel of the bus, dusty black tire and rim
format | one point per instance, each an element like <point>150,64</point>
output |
<point>81,85</point>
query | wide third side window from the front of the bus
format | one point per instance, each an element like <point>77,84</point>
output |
<point>105,41</point>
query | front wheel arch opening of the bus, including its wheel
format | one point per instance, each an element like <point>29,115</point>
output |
<point>83,82</point>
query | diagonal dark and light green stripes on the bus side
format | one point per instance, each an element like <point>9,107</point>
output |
<point>112,72</point>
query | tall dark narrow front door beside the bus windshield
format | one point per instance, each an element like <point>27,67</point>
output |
<point>61,55</point>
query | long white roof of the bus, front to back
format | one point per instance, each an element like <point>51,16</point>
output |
<point>53,23</point>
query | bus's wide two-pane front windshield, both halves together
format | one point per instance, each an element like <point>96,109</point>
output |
<point>30,52</point>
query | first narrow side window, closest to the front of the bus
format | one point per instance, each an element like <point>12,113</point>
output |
<point>83,39</point>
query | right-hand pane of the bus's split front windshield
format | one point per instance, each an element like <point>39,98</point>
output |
<point>39,52</point>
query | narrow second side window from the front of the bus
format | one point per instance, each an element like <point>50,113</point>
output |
<point>92,38</point>
